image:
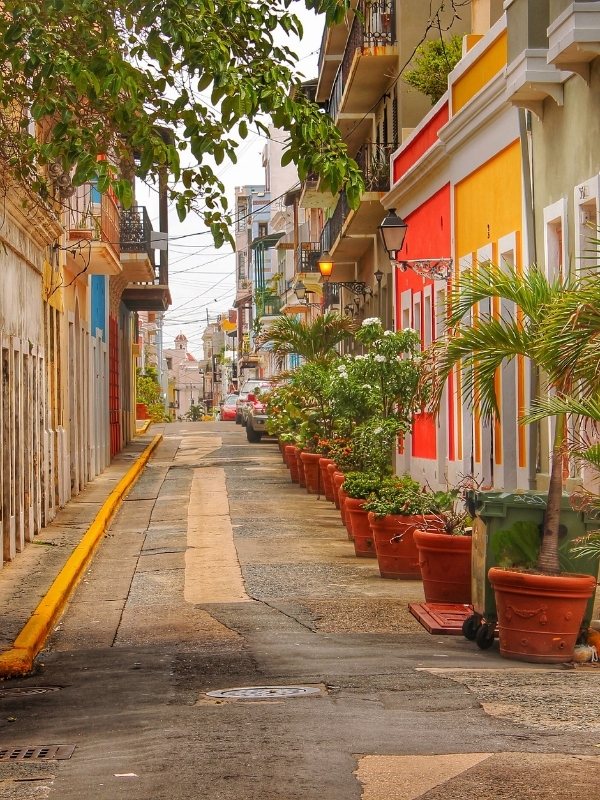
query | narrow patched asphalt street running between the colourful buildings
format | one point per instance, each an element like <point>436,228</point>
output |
<point>218,572</point>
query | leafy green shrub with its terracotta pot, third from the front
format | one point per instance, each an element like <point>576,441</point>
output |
<point>400,507</point>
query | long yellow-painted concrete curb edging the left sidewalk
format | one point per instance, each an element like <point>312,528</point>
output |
<point>19,659</point>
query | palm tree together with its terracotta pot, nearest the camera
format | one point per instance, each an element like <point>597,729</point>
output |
<point>540,610</point>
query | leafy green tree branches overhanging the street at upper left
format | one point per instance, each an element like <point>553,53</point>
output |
<point>158,85</point>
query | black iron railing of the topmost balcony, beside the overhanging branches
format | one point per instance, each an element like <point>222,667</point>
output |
<point>375,26</point>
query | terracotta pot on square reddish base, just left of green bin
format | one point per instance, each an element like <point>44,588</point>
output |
<point>445,563</point>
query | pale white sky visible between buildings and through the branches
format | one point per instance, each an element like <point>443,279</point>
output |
<point>202,278</point>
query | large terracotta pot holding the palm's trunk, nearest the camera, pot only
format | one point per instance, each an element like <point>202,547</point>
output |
<point>539,616</point>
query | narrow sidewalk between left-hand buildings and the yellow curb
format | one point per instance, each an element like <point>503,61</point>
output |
<point>27,580</point>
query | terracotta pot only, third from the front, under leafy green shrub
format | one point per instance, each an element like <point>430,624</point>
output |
<point>397,553</point>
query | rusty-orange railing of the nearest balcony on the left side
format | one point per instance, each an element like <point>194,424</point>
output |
<point>95,216</point>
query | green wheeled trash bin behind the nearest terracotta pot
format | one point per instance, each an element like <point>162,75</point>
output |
<point>495,515</point>
